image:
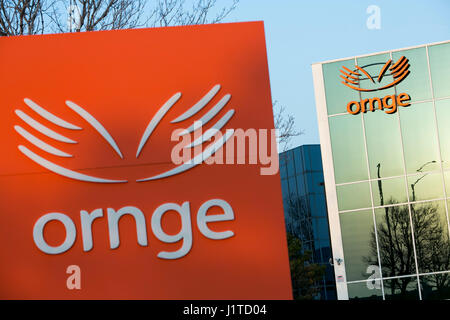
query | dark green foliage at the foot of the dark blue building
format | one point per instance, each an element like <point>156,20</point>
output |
<point>304,274</point>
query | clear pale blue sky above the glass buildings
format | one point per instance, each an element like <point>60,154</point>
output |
<point>300,32</point>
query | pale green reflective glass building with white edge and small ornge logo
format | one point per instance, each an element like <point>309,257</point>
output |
<point>387,175</point>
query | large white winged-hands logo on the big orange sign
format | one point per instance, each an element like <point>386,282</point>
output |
<point>190,113</point>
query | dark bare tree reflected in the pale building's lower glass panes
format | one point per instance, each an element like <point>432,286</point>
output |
<point>396,245</point>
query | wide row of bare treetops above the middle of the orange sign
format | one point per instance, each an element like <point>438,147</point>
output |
<point>90,15</point>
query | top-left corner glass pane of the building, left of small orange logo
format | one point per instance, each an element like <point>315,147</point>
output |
<point>337,94</point>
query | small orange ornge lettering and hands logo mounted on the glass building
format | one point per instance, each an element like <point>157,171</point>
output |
<point>360,79</point>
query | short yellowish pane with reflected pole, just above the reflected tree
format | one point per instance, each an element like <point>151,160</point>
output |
<point>389,191</point>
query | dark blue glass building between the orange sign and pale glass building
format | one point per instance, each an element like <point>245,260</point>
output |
<point>305,210</point>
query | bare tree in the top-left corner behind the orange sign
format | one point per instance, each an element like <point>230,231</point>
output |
<point>22,17</point>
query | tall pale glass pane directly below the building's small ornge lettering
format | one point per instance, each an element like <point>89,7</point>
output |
<point>384,145</point>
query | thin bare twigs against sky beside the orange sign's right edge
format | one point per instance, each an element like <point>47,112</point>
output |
<point>285,124</point>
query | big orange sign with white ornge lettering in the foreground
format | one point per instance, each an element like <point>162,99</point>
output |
<point>93,205</point>
